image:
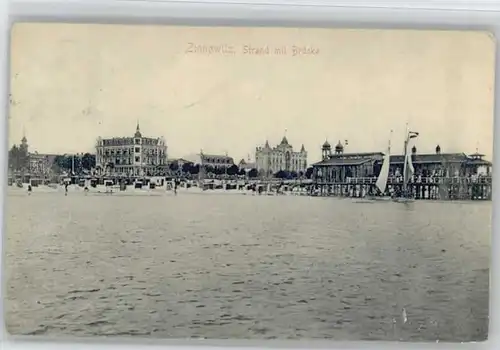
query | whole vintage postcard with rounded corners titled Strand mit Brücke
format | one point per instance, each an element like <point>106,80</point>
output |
<point>249,183</point>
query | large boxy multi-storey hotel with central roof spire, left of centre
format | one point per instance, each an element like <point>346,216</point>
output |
<point>131,156</point>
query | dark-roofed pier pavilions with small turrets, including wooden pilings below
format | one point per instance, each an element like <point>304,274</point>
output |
<point>437,175</point>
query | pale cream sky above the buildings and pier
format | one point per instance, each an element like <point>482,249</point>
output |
<point>71,83</point>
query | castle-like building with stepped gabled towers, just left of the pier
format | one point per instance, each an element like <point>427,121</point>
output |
<point>269,160</point>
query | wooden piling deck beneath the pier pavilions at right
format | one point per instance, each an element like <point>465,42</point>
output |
<point>430,188</point>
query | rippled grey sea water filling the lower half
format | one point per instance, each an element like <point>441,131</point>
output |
<point>263,267</point>
